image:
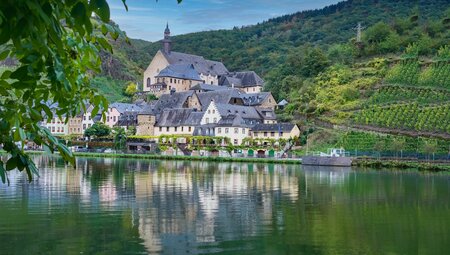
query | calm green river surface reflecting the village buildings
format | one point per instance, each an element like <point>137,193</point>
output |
<point>134,206</point>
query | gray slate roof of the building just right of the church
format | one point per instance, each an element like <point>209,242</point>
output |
<point>241,79</point>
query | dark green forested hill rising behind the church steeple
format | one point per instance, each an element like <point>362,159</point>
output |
<point>263,46</point>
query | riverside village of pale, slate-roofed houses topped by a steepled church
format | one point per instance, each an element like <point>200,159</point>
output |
<point>199,102</point>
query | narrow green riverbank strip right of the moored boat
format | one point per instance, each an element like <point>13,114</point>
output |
<point>398,164</point>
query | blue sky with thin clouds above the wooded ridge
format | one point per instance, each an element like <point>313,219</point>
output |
<point>146,19</point>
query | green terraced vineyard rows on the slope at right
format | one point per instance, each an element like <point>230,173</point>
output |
<point>415,97</point>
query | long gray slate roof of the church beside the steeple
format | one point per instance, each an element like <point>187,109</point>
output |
<point>200,64</point>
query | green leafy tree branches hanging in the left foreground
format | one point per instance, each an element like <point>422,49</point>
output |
<point>55,47</point>
